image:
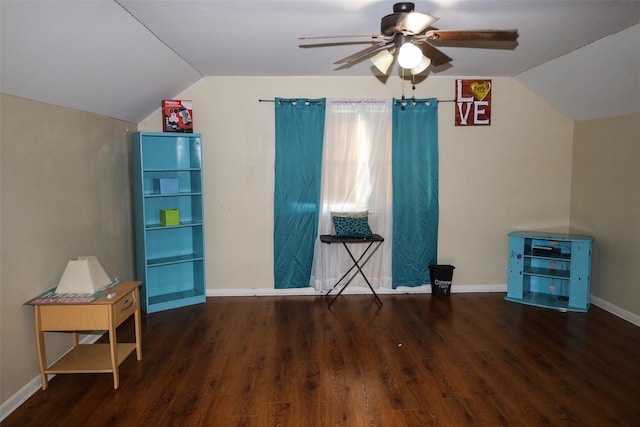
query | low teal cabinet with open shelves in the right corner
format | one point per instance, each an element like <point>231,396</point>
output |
<point>551,270</point>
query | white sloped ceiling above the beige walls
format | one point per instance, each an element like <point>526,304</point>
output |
<point>120,57</point>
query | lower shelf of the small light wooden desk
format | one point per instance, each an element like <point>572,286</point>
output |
<point>90,358</point>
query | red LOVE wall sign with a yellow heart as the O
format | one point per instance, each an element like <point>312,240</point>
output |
<point>473,102</point>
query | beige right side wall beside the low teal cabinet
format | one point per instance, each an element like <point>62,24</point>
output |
<point>605,202</point>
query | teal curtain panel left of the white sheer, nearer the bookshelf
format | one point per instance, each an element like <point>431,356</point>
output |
<point>298,166</point>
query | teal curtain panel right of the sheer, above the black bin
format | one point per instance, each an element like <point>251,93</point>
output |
<point>415,190</point>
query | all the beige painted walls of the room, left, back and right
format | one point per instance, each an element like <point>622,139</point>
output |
<point>65,179</point>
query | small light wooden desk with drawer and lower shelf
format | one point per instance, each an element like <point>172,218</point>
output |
<point>103,313</point>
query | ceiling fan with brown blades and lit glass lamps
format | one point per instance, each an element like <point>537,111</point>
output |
<point>407,36</point>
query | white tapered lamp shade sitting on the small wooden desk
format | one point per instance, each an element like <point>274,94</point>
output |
<point>83,275</point>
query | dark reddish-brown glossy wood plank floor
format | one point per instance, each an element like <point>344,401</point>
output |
<point>467,359</point>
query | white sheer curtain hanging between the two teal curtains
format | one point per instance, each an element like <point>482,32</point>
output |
<point>356,176</point>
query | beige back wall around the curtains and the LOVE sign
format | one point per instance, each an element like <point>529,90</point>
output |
<point>514,174</point>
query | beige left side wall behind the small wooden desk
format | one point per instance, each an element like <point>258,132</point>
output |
<point>65,192</point>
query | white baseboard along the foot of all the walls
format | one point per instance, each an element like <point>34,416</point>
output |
<point>34,385</point>
